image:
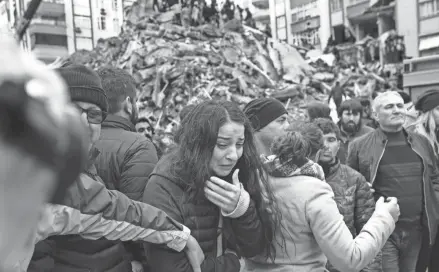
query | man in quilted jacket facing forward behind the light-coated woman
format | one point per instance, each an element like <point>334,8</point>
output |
<point>351,192</point>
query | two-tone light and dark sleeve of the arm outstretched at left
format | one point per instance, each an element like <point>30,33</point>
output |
<point>93,211</point>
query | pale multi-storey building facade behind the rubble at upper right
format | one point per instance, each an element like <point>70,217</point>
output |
<point>311,22</point>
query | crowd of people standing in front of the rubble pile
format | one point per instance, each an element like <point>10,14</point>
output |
<point>241,189</point>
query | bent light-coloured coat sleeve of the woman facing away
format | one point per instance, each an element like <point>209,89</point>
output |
<point>343,251</point>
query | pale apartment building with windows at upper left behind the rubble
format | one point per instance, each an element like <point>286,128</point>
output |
<point>60,27</point>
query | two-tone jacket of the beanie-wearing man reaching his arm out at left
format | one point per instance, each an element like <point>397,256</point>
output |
<point>91,212</point>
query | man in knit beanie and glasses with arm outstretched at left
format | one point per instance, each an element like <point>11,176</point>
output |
<point>90,211</point>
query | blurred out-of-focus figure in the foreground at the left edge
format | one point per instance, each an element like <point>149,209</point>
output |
<point>43,146</point>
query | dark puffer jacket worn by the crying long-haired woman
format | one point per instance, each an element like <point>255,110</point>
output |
<point>168,193</point>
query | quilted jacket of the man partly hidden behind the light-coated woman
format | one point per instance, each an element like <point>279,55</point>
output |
<point>354,200</point>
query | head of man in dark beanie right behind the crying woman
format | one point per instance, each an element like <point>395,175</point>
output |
<point>269,119</point>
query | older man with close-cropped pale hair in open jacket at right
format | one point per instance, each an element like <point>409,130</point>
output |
<point>399,163</point>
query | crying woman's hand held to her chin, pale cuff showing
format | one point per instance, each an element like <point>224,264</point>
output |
<point>222,193</point>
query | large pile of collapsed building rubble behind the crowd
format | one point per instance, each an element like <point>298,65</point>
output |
<point>175,64</point>
